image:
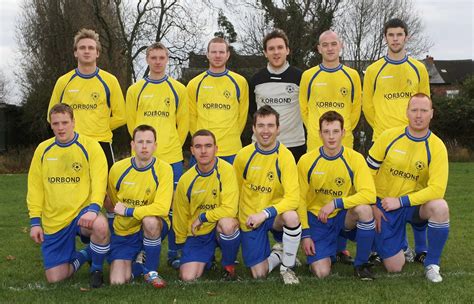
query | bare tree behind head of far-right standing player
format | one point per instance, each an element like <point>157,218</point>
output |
<point>361,22</point>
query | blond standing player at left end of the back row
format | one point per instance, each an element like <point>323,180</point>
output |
<point>93,93</point>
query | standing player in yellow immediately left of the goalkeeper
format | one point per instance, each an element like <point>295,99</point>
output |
<point>219,101</point>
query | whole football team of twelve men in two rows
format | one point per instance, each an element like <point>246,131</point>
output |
<point>300,179</point>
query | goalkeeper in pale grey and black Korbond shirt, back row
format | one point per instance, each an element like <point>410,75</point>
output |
<point>278,86</point>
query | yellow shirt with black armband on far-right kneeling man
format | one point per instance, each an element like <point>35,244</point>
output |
<point>410,168</point>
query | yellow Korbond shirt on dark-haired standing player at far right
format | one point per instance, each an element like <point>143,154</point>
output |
<point>388,85</point>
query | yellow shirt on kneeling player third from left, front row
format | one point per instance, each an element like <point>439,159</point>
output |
<point>208,195</point>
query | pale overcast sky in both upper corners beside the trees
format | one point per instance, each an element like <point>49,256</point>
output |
<point>447,22</point>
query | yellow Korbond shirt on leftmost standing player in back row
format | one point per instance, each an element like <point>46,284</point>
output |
<point>96,99</point>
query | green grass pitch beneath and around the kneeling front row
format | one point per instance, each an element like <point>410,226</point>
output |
<point>22,277</point>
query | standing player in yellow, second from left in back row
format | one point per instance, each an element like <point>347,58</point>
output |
<point>160,101</point>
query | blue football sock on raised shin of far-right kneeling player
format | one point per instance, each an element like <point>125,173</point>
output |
<point>437,236</point>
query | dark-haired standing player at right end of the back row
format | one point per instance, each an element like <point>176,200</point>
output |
<point>388,85</point>
